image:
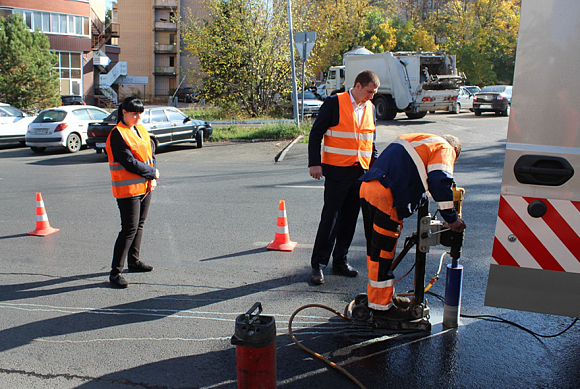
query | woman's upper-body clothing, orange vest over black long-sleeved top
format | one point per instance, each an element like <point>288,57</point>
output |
<point>131,161</point>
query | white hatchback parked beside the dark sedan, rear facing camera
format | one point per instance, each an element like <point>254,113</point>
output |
<point>64,126</point>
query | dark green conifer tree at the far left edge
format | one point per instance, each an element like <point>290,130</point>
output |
<point>28,79</point>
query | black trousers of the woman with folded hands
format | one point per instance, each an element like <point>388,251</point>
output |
<point>133,214</point>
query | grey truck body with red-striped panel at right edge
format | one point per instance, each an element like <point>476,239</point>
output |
<point>535,262</point>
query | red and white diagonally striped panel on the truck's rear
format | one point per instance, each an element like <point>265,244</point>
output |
<point>550,242</point>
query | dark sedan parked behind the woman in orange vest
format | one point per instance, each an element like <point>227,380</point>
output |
<point>166,125</point>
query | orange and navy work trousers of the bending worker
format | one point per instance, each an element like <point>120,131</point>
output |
<point>382,231</point>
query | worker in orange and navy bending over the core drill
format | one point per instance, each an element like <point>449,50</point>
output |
<point>393,188</point>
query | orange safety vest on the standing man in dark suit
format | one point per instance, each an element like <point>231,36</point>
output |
<point>347,142</point>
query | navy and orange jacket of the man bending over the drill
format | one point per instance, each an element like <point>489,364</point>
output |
<point>412,165</point>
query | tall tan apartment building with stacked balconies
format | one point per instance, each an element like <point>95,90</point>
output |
<point>151,45</point>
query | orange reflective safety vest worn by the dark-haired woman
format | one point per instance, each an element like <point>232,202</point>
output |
<point>127,184</point>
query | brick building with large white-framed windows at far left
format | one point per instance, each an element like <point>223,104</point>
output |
<point>86,46</point>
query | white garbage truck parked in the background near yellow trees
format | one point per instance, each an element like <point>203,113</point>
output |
<point>411,82</point>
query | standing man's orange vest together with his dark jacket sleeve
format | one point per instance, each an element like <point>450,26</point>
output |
<point>345,141</point>
